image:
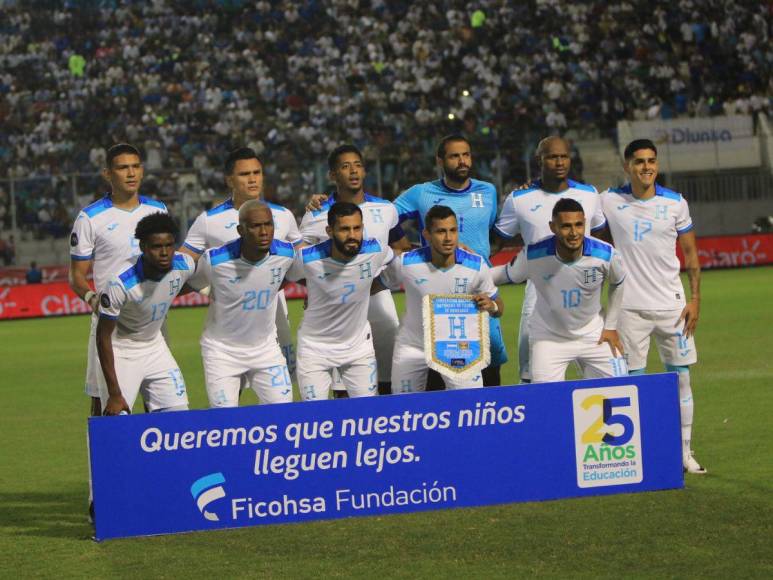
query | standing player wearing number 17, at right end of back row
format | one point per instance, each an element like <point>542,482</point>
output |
<point>646,221</point>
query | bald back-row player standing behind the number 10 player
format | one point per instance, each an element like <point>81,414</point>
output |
<point>526,213</point>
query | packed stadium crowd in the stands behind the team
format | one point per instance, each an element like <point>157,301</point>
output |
<point>189,80</point>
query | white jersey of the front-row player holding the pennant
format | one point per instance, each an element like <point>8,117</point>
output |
<point>469,275</point>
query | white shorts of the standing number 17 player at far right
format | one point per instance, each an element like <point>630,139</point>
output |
<point>635,328</point>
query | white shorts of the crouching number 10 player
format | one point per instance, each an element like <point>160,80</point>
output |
<point>550,357</point>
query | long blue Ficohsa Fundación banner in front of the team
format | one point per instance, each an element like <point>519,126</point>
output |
<point>227,468</point>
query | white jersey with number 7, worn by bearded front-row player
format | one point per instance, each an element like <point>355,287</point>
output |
<point>339,292</point>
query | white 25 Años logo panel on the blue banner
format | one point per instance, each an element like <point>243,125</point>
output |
<point>607,436</point>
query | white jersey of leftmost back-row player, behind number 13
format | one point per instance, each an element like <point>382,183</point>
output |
<point>105,234</point>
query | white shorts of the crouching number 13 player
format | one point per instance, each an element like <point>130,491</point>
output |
<point>147,368</point>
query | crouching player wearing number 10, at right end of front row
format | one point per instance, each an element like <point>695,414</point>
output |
<point>568,270</point>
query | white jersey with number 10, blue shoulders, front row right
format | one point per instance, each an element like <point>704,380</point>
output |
<point>568,294</point>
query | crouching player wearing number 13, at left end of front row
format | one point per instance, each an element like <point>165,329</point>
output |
<point>132,308</point>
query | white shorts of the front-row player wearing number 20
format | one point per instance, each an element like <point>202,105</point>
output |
<point>228,369</point>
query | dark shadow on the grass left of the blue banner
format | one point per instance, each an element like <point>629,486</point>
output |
<point>45,514</point>
